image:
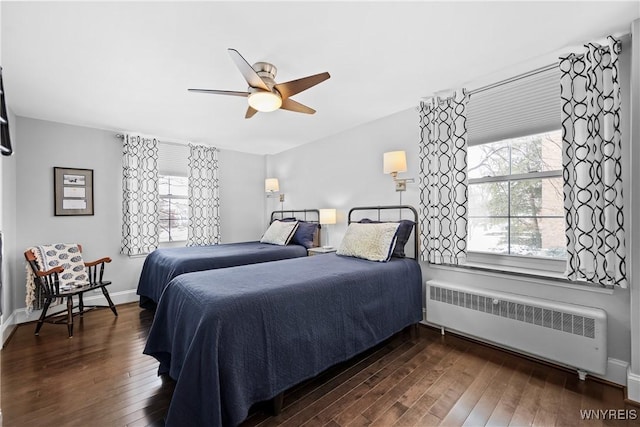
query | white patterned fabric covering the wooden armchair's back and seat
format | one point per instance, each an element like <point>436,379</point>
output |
<point>69,257</point>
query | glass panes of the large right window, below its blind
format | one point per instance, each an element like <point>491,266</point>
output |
<point>515,197</point>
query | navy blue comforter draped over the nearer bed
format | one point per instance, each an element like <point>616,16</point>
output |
<point>236,336</point>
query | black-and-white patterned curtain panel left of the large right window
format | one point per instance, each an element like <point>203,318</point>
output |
<point>443,179</point>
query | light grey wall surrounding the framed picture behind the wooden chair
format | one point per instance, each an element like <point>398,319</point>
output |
<point>45,145</point>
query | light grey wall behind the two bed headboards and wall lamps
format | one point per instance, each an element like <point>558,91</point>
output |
<point>345,170</point>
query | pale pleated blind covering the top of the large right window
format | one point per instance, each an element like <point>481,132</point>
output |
<point>525,106</point>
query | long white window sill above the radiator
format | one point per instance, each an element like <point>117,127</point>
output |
<point>526,275</point>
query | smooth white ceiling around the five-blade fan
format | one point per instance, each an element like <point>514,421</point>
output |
<point>127,66</point>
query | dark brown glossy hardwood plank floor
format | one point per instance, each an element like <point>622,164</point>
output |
<point>101,378</point>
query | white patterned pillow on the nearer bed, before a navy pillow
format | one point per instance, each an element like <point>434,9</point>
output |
<point>374,242</point>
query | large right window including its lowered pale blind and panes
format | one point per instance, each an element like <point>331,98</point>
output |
<point>515,215</point>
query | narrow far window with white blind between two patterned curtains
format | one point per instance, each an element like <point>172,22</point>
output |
<point>173,189</point>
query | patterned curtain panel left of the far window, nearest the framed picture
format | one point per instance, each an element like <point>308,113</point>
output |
<point>140,195</point>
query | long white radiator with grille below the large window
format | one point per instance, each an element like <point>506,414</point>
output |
<point>568,334</point>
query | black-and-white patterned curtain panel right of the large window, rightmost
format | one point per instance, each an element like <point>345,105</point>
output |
<point>590,91</point>
